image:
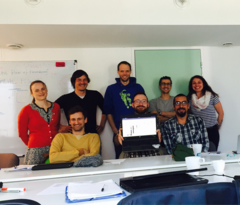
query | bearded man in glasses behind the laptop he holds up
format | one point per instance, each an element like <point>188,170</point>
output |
<point>140,105</point>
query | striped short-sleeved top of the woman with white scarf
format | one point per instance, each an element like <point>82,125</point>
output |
<point>209,113</point>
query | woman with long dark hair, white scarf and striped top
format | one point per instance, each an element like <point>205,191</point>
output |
<point>204,102</point>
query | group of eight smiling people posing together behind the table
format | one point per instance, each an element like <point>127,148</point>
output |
<point>182,119</point>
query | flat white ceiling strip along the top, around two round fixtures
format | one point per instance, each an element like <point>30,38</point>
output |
<point>121,12</point>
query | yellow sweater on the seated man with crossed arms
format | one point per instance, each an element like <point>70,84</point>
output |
<point>64,147</point>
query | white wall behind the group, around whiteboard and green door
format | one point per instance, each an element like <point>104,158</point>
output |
<point>221,68</point>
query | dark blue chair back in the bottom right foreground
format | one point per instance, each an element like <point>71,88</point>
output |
<point>207,194</point>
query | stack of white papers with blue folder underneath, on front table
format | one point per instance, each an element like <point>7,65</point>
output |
<point>77,192</point>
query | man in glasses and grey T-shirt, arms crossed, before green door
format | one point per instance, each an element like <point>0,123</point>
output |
<point>163,105</point>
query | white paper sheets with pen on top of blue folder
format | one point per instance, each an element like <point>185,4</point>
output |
<point>93,190</point>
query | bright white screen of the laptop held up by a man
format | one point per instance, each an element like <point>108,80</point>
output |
<point>139,125</point>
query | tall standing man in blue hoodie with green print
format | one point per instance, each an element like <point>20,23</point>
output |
<point>118,98</point>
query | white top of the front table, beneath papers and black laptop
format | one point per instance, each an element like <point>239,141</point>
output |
<point>35,187</point>
